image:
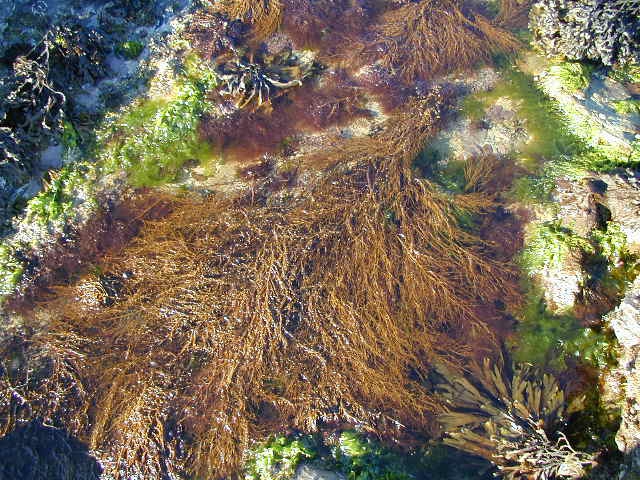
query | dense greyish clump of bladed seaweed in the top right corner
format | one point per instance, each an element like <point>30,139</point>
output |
<point>605,31</point>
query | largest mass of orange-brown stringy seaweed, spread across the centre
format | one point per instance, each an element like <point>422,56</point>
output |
<point>243,318</point>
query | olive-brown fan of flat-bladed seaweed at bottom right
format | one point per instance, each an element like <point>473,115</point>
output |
<point>511,416</point>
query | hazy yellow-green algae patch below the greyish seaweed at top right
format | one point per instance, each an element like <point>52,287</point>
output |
<point>554,150</point>
